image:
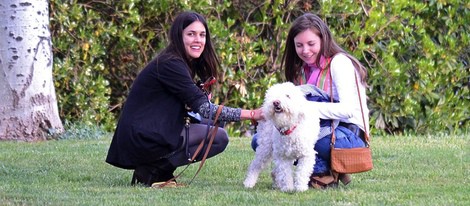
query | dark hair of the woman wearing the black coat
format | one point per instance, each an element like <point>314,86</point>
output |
<point>207,64</point>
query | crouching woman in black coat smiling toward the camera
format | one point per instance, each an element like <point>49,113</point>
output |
<point>151,130</point>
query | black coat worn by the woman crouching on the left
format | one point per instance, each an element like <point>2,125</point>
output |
<point>151,120</point>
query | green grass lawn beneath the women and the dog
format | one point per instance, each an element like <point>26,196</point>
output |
<point>421,170</point>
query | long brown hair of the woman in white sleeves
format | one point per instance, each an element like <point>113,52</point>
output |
<point>292,62</point>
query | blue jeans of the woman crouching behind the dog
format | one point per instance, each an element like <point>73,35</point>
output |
<point>345,138</point>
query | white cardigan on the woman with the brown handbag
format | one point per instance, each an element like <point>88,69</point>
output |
<point>344,89</point>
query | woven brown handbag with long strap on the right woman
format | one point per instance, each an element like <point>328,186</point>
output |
<point>351,160</point>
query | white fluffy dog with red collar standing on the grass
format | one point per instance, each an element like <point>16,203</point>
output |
<point>288,133</point>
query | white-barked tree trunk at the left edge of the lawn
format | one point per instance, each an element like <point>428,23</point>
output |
<point>28,104</point>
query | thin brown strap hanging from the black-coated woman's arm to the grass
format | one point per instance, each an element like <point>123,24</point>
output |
<point>211,134</point>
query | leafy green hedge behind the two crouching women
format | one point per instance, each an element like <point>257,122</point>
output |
<point>417,54</point>
